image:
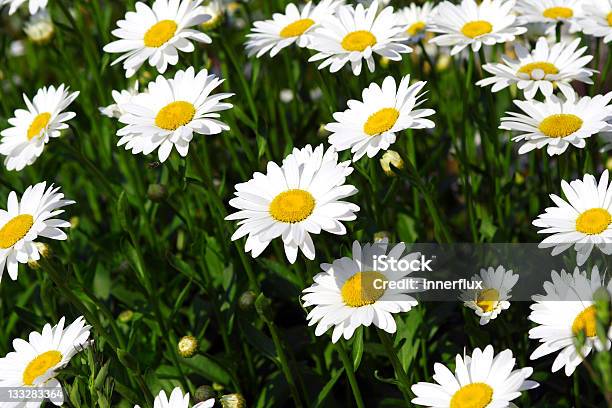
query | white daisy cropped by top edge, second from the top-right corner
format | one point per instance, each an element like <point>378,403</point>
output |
<point>550,12</point>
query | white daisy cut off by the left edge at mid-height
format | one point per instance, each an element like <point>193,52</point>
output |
<point>25,221</point>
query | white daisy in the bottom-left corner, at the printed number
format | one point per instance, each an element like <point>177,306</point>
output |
<point>36,361</point>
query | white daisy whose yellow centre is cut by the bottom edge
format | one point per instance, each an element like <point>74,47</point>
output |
<point>479,381</point>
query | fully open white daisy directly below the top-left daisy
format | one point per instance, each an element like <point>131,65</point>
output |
<point>171,111</point>
